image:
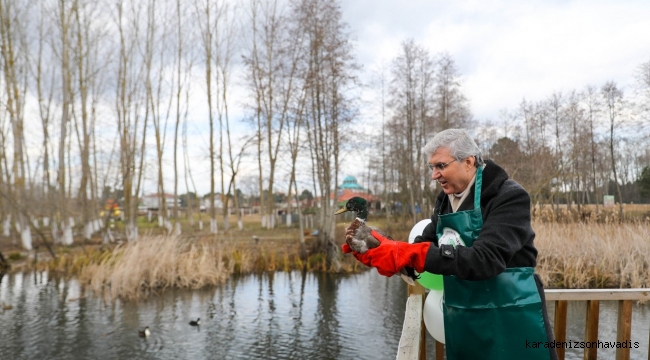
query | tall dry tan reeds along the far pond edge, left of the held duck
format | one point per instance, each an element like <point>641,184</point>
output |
<point>155,262</point>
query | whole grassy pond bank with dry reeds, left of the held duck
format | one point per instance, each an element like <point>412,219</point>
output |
<point>155,262</point>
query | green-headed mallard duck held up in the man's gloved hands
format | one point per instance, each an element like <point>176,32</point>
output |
<point>363,239</point>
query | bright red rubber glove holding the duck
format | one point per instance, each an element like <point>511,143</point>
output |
<point>391,256</point>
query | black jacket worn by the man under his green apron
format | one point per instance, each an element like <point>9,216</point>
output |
<point>505,241</point>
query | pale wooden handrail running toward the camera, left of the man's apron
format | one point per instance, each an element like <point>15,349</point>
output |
<point>409,342</point>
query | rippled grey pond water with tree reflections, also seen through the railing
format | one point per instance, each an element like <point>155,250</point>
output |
<point>272,316</point>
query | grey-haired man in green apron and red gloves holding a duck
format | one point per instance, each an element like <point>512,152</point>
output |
<point>480,238</point>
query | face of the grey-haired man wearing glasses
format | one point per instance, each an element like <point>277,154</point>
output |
<point>456,174</point>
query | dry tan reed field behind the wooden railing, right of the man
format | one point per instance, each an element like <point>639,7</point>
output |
<point>580,255</point>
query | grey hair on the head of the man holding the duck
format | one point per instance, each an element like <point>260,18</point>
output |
<point>458,141</point>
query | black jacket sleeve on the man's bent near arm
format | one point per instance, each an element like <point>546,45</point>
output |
<point>506,229</point>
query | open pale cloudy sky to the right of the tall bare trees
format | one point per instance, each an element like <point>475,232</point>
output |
<point>508,50</point>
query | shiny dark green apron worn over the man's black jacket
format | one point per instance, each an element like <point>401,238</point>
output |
<point>498,318</point>
